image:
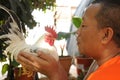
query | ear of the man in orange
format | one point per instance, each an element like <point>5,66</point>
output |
<point>107,35</point>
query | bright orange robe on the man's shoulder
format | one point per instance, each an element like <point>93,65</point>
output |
<point>110,70</point>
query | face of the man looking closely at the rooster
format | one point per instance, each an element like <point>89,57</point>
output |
<point>89,36</point>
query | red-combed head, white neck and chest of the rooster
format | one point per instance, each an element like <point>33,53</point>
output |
<point>46,42</point>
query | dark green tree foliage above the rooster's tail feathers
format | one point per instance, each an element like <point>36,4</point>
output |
<point>24,8</point>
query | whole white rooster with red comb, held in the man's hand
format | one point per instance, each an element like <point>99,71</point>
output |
<point>12,31</point>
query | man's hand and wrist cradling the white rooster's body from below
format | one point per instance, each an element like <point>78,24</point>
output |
<point>43,63</point>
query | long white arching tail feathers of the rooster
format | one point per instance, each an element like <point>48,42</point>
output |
<point>11,33</point>
